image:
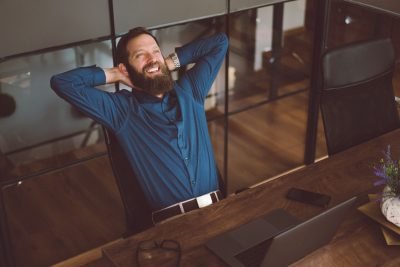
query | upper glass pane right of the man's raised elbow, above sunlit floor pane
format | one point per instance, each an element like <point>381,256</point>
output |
<point>259,71</point>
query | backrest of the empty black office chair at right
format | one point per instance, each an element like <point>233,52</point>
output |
<point>357,100</point>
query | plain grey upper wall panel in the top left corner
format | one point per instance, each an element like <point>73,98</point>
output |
<point>28,26</point>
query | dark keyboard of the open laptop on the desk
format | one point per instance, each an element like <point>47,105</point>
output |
<point>253,256</point>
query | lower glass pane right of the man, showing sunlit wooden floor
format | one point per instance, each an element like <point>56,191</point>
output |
<point>266,141</point>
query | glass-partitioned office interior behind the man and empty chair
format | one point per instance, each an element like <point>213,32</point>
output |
<point>58,192</point>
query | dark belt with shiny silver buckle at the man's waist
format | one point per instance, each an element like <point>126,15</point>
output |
<point>186,206</point>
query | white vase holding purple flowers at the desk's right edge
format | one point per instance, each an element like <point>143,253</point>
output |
<point>390,206</point>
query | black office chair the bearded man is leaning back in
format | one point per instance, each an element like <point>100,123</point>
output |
<point>137,210</point>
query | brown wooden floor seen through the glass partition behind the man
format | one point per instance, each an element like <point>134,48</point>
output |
<point>62,213</point>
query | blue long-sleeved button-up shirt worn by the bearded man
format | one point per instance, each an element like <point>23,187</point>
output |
<point>166,140</point>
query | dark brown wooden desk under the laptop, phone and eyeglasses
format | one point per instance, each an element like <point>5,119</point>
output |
<point>358,241</point>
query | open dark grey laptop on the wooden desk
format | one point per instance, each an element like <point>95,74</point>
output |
<point>278,238</point>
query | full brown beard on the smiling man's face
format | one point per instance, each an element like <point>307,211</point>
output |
<point>157,85</point>
